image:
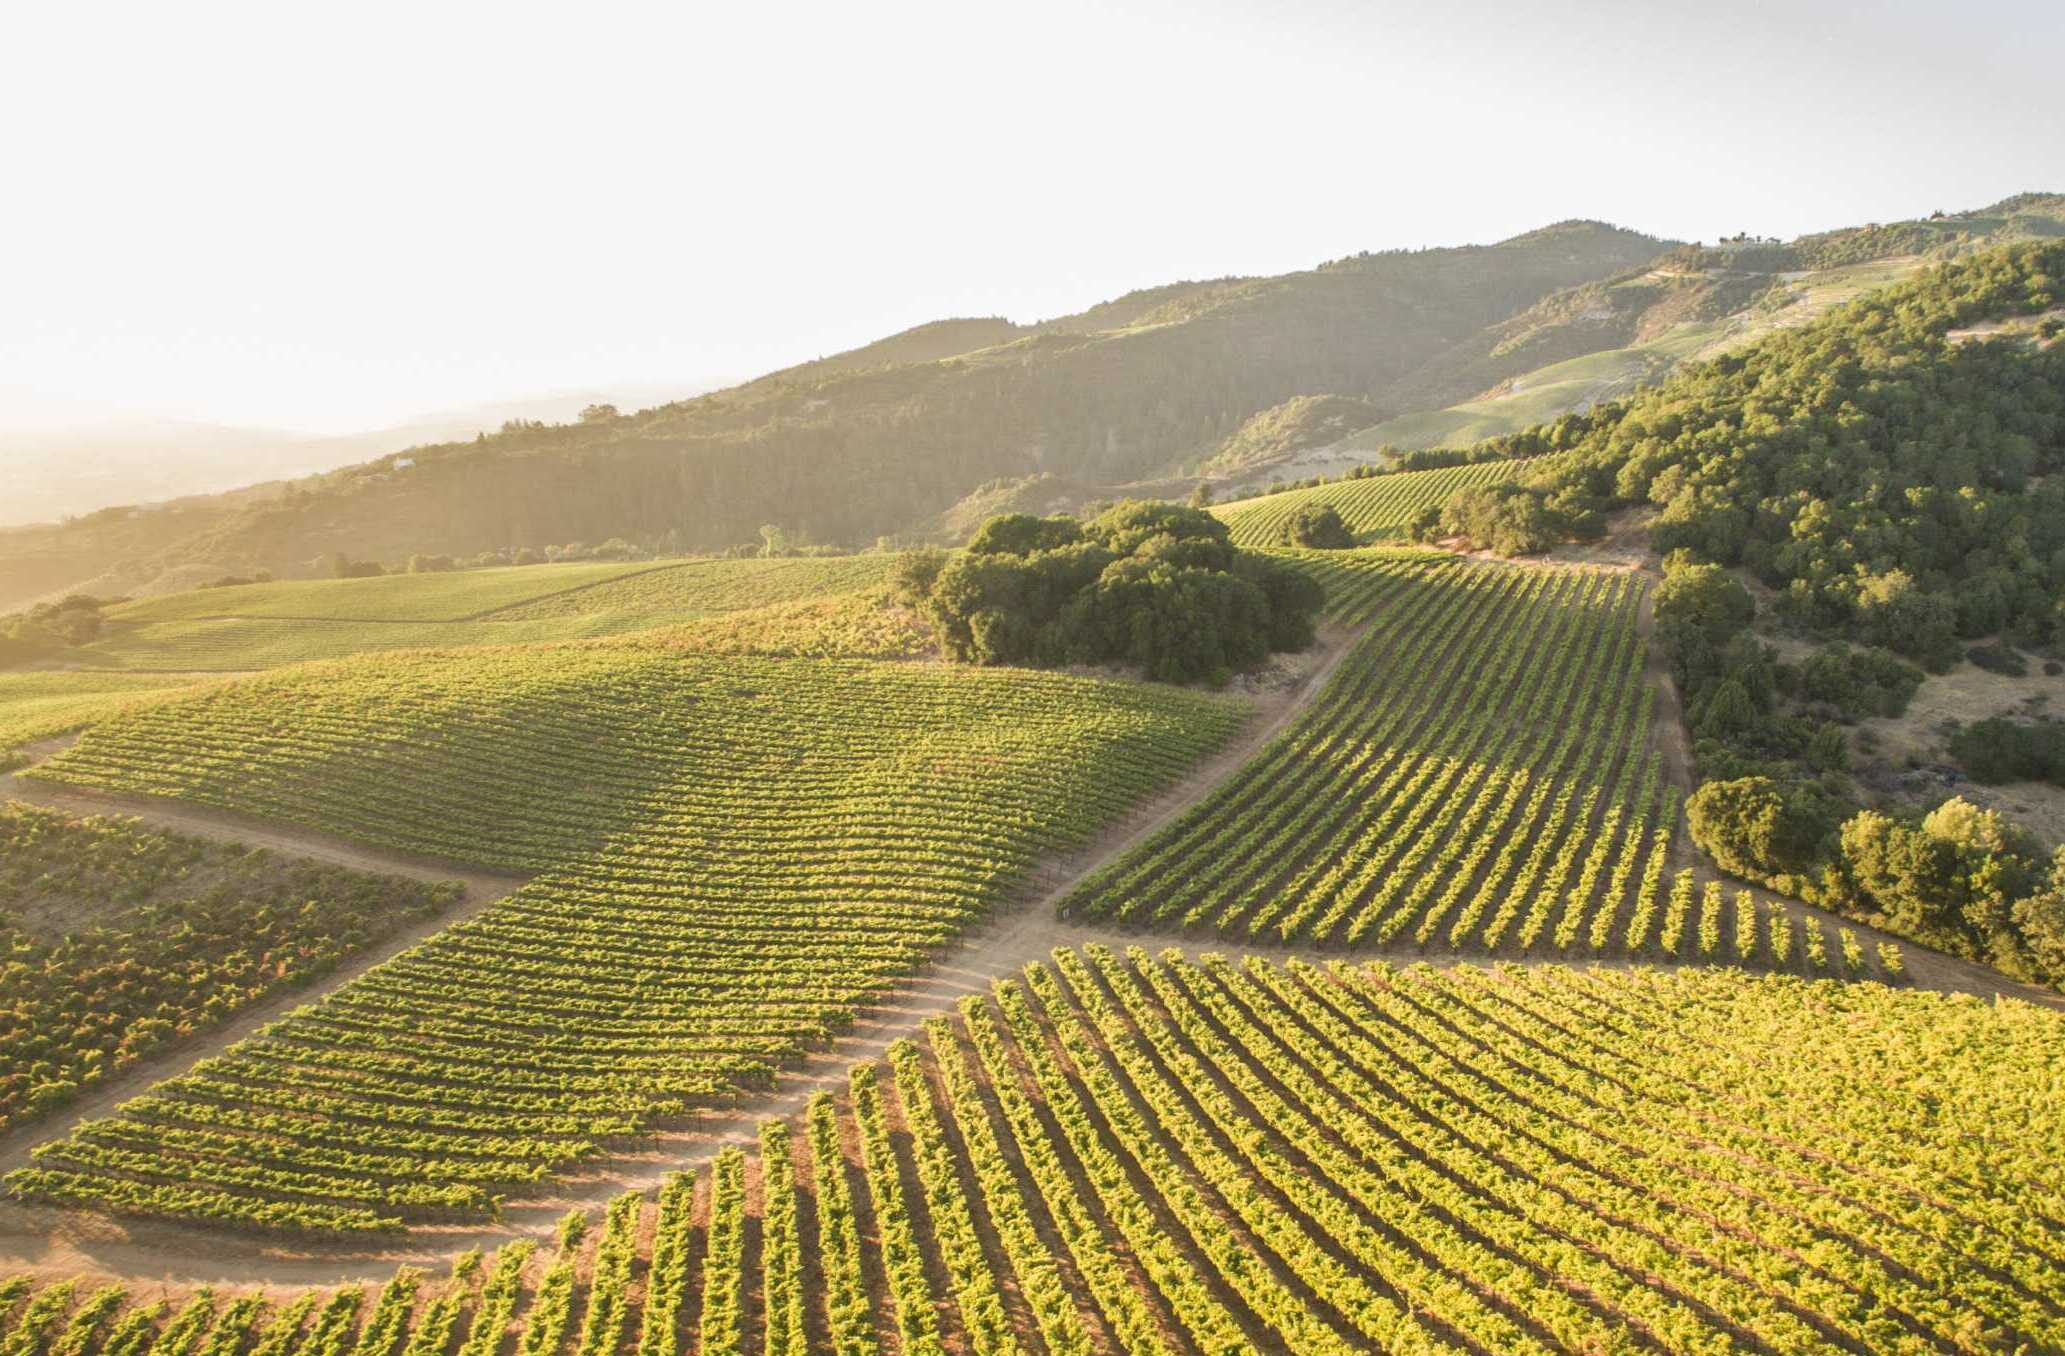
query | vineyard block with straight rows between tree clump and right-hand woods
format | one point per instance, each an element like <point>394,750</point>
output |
<point>1480,775</point>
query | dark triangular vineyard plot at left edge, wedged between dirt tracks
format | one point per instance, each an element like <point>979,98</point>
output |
<point>117,940</point>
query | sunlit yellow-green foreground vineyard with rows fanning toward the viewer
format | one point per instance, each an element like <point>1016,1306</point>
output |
<point>1131,1155</point>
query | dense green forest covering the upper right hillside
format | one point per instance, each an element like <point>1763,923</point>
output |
<point>1886,480</point>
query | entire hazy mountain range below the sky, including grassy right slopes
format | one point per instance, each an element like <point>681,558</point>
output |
<point>914,434</point>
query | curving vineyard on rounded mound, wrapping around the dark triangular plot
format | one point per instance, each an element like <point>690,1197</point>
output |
<point>734,858</point>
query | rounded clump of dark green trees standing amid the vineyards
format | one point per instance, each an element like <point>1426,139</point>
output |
<point>1151,585</point>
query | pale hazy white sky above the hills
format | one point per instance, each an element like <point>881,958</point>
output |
<point>333,218</point>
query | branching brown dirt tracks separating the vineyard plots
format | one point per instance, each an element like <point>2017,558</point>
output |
<point>73,1244</point>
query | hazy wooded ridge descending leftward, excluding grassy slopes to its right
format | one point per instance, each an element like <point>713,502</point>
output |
<point>870,443</point>
